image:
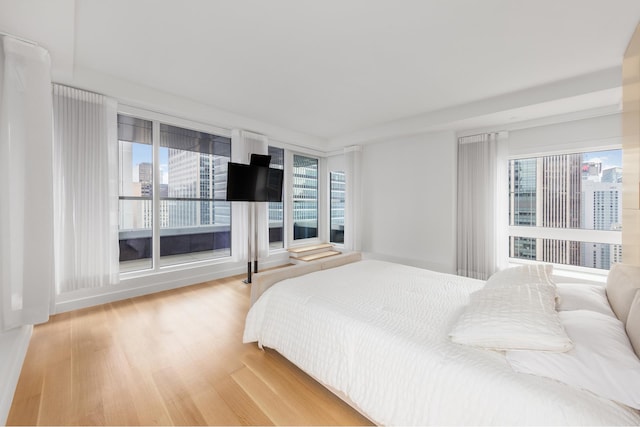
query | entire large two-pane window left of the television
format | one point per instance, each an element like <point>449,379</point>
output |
<point>187,187</point>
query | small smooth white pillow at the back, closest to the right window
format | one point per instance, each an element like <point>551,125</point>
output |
<point>583,296</point>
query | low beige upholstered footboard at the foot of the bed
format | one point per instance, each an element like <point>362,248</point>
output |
<point>263,281</point>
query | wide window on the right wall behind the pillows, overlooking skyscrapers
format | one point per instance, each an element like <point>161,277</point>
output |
<point>566,208</point>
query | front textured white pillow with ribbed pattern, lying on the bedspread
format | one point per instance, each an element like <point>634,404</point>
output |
<point>516,317</point>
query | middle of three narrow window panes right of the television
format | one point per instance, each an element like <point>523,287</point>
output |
<point>305,197</point>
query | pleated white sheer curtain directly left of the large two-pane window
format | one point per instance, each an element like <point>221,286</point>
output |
<point>86,189</point>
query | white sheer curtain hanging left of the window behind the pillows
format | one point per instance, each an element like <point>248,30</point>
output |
<point>482,210</point>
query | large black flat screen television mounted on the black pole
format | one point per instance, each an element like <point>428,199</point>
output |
<point>251,183</point>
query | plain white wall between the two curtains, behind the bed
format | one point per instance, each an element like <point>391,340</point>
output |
<point>409,197</point>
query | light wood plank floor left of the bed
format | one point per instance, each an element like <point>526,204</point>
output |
<point>172,358</point>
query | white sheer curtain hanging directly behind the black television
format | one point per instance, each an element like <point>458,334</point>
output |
<point>243,144</point>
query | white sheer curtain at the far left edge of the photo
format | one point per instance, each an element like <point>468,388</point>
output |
<point>26,199</point>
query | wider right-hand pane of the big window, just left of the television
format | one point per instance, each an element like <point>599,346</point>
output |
<point>195,219</point>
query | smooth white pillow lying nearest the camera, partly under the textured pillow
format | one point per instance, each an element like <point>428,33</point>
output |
<point>602,360</point>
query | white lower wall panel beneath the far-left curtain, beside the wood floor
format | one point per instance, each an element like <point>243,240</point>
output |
<point>13,350</point>
